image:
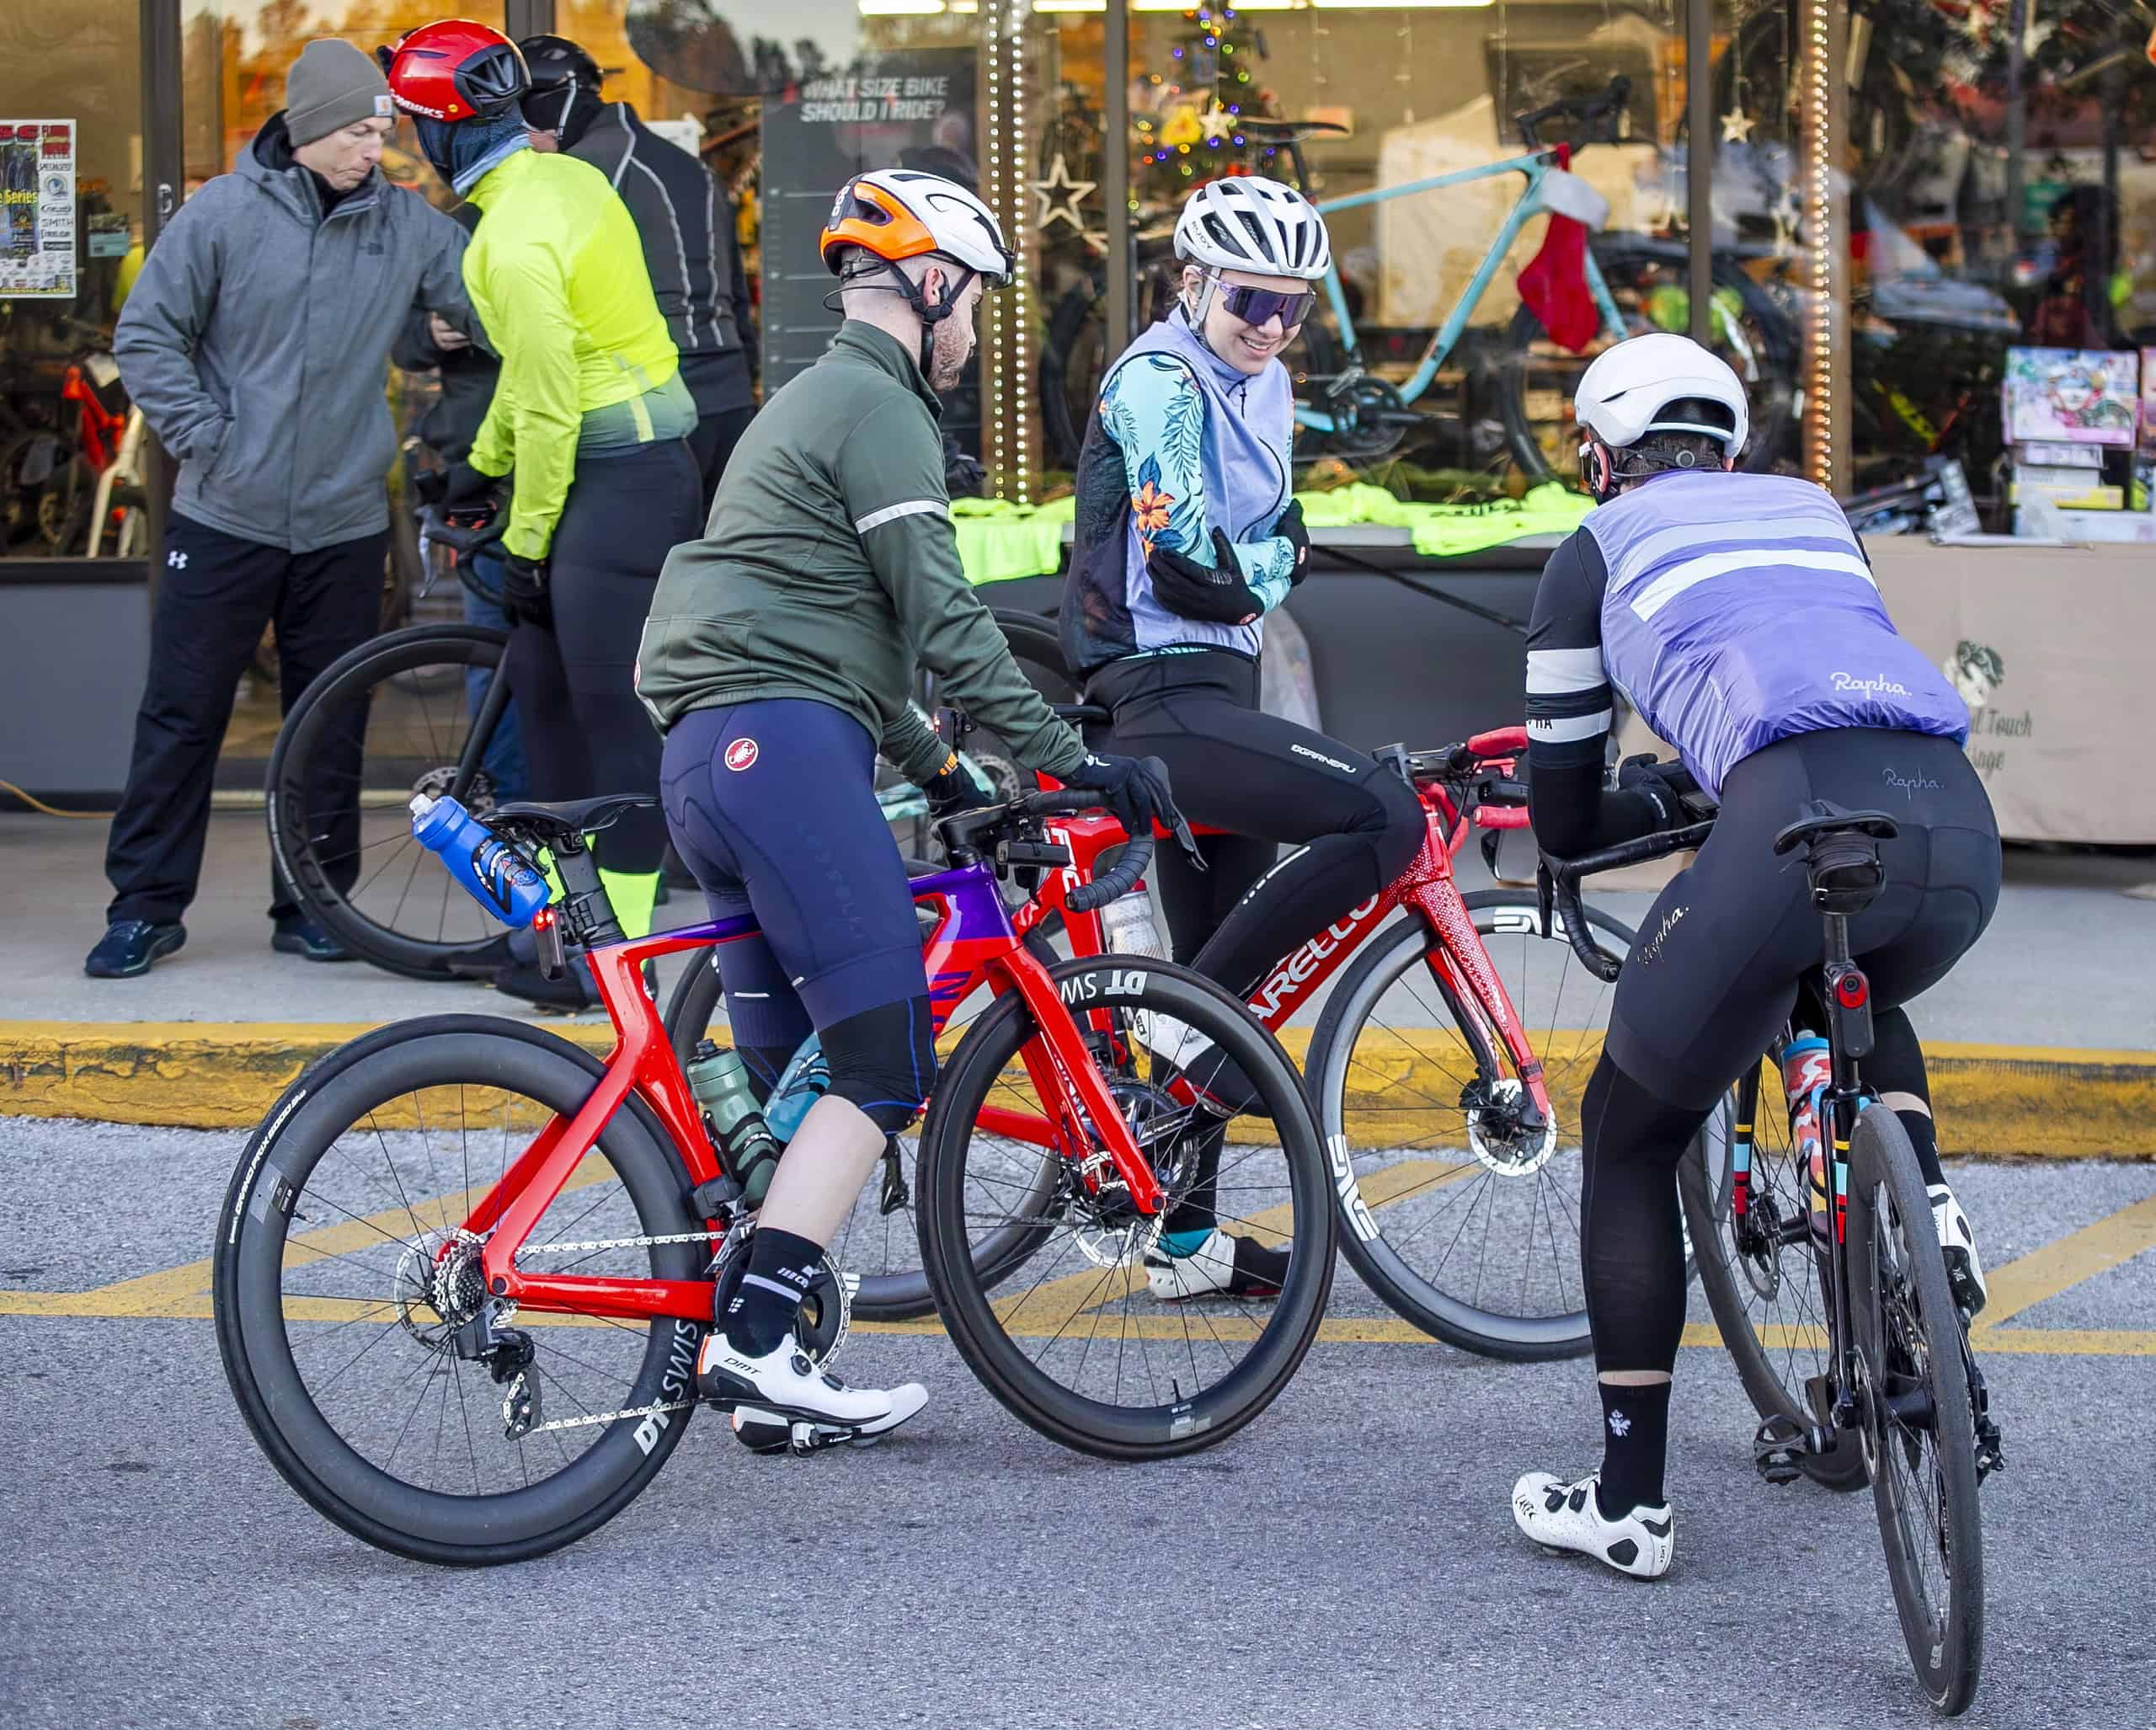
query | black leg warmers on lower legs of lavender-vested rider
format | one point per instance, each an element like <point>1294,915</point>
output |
<point>1631,1241</point>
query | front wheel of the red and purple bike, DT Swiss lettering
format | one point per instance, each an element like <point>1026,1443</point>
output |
<point>1109,1336</point>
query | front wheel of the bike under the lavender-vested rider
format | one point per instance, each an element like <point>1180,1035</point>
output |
<point>1765,1278</point>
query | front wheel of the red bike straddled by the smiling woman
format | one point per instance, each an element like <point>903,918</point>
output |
<point>1454,1207</point>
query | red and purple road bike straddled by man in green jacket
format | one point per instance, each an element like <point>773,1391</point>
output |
<point>465,1267</point>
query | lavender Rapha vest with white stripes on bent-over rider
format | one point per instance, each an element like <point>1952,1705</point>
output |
<point>1741,612</point>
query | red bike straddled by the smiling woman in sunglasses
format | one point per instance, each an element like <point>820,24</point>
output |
<point>1454,1034</point>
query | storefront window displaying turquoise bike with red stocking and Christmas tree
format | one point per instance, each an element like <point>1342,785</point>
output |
<point>1422,372</point>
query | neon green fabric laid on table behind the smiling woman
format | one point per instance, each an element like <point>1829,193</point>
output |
<point>999,540</point>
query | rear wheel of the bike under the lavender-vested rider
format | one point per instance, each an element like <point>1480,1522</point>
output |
<point>1918,1423</point>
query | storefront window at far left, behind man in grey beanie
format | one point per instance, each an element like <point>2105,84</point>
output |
<point>72,180</point>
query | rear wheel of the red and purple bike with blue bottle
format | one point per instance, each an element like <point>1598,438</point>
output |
<point>346,1297</point>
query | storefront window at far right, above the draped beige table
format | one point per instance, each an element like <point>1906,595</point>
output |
<point>1998,204</point>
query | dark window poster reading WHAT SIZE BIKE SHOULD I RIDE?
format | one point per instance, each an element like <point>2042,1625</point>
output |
<point>887,111</point>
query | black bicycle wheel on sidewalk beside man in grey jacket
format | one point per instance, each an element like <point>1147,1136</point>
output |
<point>387,722</point>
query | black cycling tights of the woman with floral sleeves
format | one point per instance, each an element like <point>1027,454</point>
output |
<point>1264,780</point>
